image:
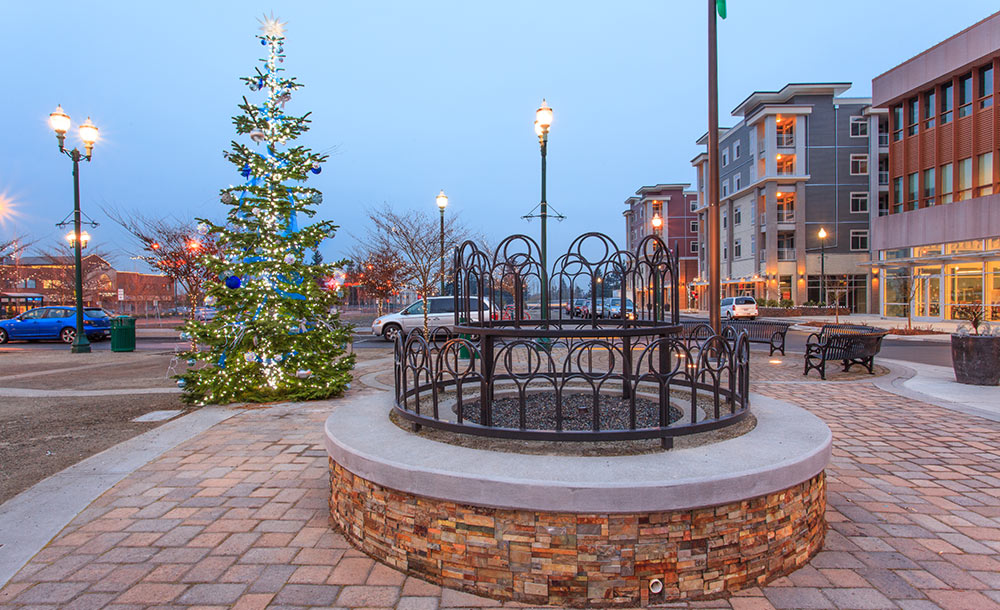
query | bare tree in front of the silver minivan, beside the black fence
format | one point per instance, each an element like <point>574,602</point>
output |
<point>414,237</point>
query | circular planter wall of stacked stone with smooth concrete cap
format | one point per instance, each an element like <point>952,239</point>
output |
<point>582,531</point>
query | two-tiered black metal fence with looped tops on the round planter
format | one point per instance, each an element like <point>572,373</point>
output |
<point>605,367</point>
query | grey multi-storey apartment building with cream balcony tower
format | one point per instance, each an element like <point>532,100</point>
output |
<point>800,160</point>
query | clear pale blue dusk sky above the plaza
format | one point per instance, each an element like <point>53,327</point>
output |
<point>412,97</point>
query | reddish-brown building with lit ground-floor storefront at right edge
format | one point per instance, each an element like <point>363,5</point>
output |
<point>938,245</point>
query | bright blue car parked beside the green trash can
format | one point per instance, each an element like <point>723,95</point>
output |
<point>56,322</point>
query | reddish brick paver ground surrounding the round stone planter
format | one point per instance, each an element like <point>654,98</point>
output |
<point>238,517</point>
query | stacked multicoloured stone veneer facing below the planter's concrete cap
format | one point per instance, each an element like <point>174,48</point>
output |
<point>583,559</point>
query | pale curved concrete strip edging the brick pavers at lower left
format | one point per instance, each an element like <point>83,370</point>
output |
<point>30,520</point>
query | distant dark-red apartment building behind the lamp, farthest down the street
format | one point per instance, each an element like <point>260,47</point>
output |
<point>675,206</point>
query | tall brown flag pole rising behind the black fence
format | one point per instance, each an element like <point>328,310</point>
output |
<point>712,184</point>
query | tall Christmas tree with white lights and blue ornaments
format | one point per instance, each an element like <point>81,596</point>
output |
<point>276,334</point>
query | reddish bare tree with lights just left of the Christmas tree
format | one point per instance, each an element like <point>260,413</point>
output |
<point>173,247</point>
